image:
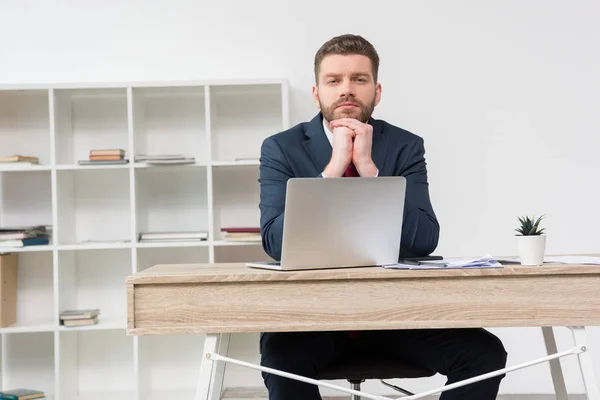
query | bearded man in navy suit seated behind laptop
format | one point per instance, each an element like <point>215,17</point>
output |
<point>344,140</point>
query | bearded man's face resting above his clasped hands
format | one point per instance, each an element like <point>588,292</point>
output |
<point>346,88</point>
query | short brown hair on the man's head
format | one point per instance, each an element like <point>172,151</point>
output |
<point>346,45</point>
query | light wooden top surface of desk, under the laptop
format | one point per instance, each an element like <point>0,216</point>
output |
<point>239,272</point>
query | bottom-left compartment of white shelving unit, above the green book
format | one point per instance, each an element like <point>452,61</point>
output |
<point>29,360</point>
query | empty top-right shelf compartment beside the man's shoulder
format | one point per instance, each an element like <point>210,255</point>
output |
<point>243,114</point>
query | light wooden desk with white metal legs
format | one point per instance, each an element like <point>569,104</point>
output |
<point>217,299</point>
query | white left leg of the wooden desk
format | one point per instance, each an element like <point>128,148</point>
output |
<point>210,380</point>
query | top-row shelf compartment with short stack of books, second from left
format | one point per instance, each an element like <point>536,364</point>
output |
<point>88,119</point>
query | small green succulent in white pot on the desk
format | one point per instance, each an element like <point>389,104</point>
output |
<point>531,241</point>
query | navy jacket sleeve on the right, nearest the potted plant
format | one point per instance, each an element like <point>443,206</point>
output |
<point>420,228</point>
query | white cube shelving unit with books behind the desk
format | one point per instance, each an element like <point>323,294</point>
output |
<point>97,213</point>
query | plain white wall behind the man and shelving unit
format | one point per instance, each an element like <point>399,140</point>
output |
<point>505,93</point>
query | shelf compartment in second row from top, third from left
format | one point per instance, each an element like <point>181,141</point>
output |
<point>171,199</point>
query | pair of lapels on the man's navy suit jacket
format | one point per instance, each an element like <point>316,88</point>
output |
<point>319,149</point>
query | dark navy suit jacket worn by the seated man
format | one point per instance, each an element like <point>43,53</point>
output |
<point>305,151</point>
